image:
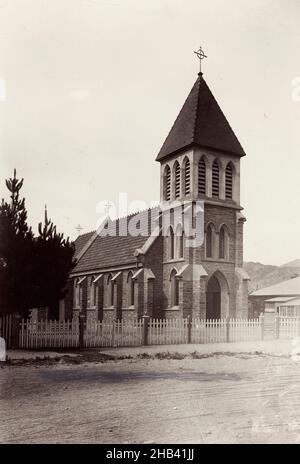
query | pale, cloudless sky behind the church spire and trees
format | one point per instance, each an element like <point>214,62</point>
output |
<point>90,89</point>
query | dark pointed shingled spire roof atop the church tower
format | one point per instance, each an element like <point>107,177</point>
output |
<point>201,123</point>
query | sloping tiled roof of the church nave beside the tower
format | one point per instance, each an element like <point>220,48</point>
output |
<point>114,245</point>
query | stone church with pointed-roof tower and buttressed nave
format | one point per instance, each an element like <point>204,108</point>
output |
<point>121,276</point>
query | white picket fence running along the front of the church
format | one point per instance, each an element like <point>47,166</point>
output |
<point>66,334</point>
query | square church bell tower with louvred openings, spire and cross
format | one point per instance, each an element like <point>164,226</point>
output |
<point>200,160</point>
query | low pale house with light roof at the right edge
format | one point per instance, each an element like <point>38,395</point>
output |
<point>282,298</point>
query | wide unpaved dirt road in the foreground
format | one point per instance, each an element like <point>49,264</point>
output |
<point>221,399</point>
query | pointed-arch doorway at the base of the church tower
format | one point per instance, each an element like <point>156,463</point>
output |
<point>217,297</point>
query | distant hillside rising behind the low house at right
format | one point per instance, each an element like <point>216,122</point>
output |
<point>263,275</point>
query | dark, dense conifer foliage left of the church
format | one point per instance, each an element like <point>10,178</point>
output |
<point>33,270</point>
